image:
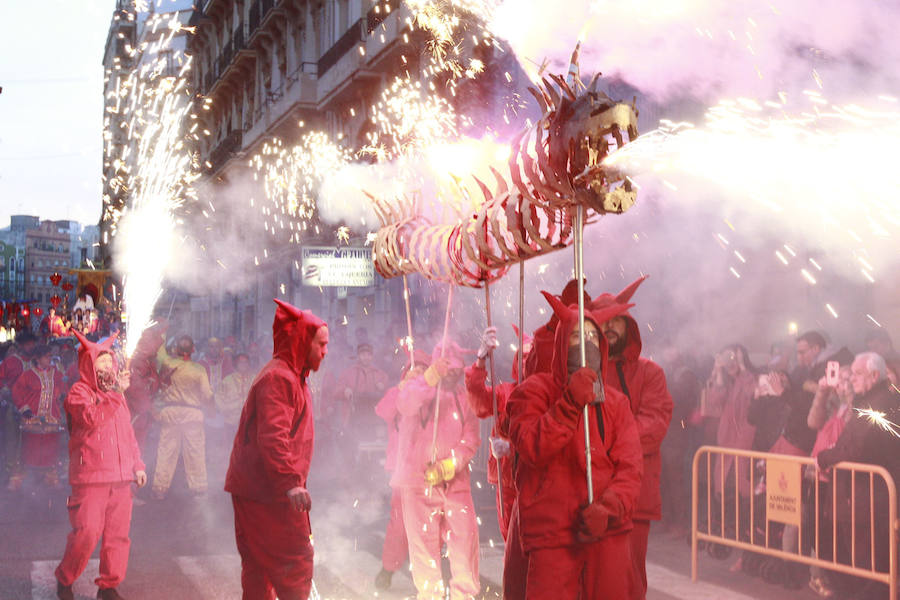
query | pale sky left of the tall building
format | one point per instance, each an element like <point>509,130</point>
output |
<point>51,108</point>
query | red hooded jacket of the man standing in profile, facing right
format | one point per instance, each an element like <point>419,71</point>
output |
<point>274,442</point>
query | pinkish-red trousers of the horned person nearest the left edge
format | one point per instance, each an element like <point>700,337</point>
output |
<point>95,511</point>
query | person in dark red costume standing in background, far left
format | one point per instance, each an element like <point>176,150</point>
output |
<point>37,394</point>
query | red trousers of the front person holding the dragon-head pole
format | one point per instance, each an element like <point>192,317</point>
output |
<point>597,571</point>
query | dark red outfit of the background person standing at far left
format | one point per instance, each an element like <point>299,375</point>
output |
<point>39,390</point>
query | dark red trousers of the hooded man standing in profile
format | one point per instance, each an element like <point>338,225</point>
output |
<point>276,551</point>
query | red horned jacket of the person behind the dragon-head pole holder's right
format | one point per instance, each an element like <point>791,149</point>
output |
<point>644,382</point>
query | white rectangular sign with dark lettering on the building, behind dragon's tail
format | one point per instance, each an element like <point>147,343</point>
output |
<point>337,267</point>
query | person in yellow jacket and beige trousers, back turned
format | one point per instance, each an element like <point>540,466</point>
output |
<point>180,414</point>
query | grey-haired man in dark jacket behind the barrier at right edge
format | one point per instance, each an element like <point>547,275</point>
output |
<point>864,442</point>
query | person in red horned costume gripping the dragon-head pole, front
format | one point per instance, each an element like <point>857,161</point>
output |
<point>575,549</point>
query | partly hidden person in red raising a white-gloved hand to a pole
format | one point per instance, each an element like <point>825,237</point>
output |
<point>481,400</point>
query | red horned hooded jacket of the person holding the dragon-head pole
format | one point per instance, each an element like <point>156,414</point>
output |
<point>548,435</point>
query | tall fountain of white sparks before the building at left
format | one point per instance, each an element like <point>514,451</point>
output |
<point>152,166</point>
